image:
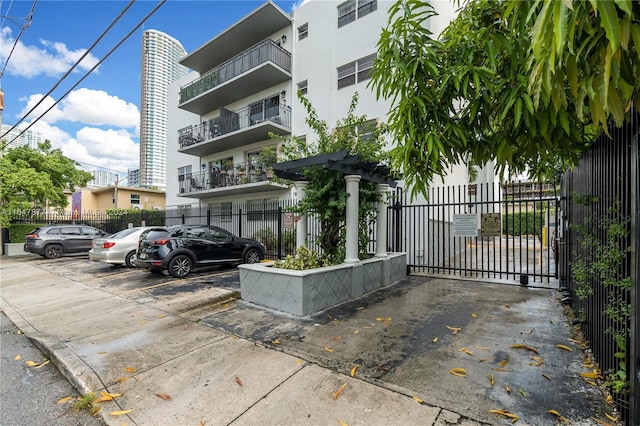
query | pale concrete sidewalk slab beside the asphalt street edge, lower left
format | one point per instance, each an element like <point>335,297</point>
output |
<point>211,385</point>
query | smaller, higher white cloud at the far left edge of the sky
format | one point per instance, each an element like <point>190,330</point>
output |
<point>51,59</point>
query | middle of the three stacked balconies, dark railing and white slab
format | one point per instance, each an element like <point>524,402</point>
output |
<point>232,129</point>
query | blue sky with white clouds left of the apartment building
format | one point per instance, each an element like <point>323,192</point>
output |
<point>98,122</point>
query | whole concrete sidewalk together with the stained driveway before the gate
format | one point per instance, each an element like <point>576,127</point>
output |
<point>242,365</point>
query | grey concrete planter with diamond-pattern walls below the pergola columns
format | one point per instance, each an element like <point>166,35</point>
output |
<point>305,292</point>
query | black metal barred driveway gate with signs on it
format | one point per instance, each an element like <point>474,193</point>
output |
<point>487,231</point>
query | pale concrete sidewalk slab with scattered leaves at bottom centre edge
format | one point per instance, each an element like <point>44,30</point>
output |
<point>307,399</point>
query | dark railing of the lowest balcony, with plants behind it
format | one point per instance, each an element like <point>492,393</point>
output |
<point>221,177</point>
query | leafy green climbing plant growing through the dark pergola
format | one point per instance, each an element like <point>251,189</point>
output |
<point>326,194</point>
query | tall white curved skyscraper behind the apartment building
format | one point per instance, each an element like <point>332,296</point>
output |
<point>161,54</point>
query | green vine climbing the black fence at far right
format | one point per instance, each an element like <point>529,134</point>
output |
<point>599,263</point>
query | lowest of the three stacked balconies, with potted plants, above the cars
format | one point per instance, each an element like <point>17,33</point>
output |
<point>242,178</point>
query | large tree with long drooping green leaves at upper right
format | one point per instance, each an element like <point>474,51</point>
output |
<point>527,84</point>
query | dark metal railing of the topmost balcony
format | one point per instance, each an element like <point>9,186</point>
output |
<point>260,53</point>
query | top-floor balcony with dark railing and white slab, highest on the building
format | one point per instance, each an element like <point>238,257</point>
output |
<point>257,68</point>
